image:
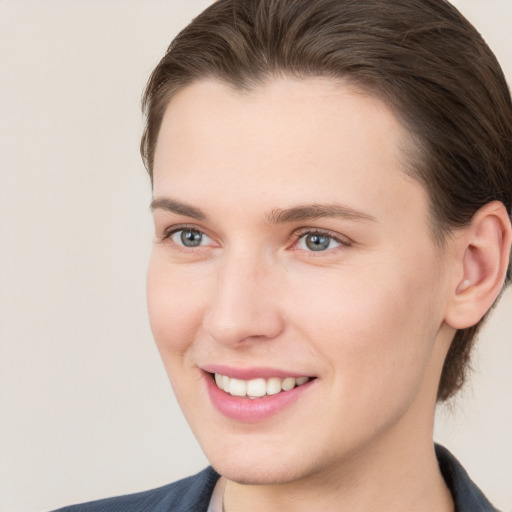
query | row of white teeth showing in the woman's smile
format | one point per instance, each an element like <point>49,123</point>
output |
<point>257,388</point>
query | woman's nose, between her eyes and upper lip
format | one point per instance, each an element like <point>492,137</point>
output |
<point>244,305</point>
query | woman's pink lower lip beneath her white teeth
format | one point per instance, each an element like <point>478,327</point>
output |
<point>249,410</point>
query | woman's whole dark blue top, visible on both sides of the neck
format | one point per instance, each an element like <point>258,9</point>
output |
<point>193,494</point>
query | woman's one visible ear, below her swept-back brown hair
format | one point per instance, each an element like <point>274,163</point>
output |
<point>483,252</point>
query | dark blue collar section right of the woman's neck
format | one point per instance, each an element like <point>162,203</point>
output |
<point>466,495</point>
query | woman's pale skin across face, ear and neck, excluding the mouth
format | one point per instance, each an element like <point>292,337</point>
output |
<point>370,317</point>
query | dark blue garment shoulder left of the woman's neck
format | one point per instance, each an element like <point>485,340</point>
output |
<point>187,495</point>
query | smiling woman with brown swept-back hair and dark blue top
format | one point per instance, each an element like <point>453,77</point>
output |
<point>332,194</point>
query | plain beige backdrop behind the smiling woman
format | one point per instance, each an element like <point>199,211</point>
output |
<point>85,407</point>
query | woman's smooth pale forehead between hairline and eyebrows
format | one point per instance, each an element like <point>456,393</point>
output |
<point>287,141</point>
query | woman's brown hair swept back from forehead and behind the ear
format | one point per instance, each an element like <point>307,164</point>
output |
<point>421,57</point>
